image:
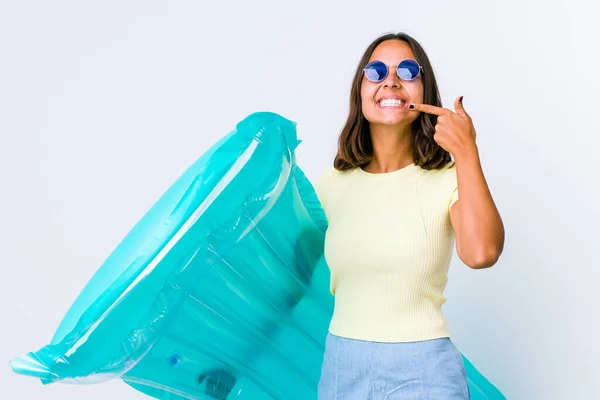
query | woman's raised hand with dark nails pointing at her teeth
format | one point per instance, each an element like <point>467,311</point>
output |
<point>454,131</point>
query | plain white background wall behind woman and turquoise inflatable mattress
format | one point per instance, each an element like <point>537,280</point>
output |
<point>104,104</point>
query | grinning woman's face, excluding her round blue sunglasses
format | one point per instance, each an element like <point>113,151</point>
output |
<point>391,52</point>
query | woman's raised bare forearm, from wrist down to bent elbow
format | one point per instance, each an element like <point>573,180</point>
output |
<point>479,227</point>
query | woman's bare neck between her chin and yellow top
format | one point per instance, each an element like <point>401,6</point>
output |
<point>392,148</point>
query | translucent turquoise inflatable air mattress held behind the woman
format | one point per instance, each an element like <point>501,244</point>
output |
<point>219,292</point>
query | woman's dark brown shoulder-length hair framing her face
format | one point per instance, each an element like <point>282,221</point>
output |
<point>355,148</point>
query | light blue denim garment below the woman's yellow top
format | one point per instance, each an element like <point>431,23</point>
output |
<point>362,370</point>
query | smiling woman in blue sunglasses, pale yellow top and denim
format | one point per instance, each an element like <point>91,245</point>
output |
<point>392,202</point>
